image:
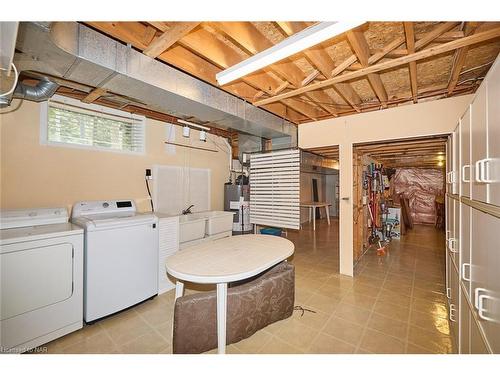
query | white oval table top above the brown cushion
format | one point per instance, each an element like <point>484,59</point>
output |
<point>229,259</point>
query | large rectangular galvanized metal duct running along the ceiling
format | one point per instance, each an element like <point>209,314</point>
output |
<point>77,53</point>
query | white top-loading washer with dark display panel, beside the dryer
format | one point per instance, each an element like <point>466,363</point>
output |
<point>121,256</point>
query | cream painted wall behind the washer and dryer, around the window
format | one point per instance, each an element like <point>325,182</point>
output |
<point>37,175</point>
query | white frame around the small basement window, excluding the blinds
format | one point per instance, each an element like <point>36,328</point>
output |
<point>106,111</point>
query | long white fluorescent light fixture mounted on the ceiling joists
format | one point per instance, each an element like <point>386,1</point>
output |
<point>298,42</point>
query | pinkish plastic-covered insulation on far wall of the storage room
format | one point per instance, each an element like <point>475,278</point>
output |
<point>421,187</point>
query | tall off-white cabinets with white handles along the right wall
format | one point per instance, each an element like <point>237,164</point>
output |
<point>473,222</point>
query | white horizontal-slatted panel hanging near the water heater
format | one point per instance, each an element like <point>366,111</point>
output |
<point>275,189</point>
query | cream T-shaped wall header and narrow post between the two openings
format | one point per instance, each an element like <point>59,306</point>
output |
<point>409,121</point>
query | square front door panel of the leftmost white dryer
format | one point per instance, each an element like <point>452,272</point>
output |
<point>35,276</point>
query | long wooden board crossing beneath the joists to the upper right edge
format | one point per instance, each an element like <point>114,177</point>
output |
<point>385,65</point>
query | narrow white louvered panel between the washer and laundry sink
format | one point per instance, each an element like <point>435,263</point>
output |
<point>168,245</point>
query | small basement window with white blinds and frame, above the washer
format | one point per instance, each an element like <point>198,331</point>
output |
<point>71,123</point>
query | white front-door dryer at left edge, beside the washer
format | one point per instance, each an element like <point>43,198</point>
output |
<point>41,266</point>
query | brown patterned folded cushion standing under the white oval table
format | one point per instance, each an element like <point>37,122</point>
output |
<point>251,305</point>
